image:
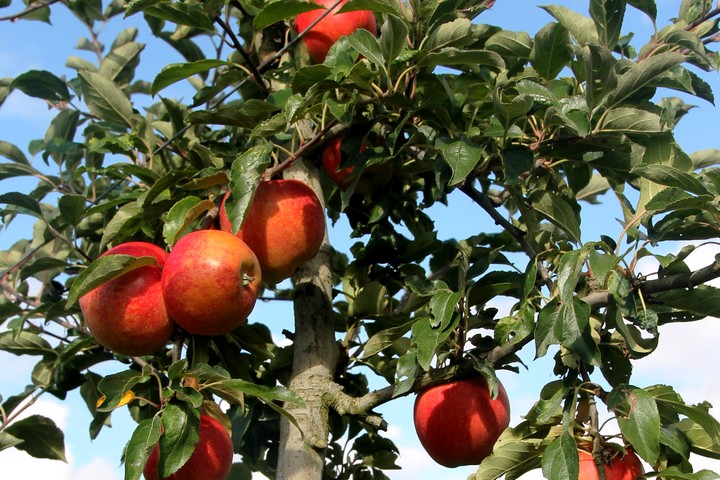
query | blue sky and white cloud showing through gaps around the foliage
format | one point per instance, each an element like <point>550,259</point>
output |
<point>33,45</point>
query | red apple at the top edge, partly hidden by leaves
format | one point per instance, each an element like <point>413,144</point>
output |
<point>333,26</point>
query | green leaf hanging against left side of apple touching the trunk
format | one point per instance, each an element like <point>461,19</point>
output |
<point>245,175</point>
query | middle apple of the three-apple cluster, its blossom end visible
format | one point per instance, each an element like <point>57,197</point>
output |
<point>210,282</point>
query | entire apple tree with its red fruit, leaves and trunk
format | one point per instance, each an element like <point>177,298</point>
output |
<point>160,223</point>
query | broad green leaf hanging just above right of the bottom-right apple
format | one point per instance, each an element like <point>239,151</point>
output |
<point>638,418</point>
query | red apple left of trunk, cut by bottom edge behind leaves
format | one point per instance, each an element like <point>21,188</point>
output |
<point>211,459</point>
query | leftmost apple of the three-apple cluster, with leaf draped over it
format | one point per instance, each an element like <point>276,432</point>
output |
<point>127,314</point>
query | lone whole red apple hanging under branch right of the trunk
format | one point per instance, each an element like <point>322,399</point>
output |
<point>458,423</point>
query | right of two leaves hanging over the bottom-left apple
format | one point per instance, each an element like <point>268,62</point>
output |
<point>179,437</point>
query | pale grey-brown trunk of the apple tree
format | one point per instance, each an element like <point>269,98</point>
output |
<point>302,451</point>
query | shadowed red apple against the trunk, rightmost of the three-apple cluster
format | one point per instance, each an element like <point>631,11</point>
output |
<point>284,226</point>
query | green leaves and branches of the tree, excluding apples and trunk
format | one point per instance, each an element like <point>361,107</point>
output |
<point>530,127</point>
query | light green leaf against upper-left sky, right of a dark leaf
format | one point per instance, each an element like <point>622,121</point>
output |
<point>105,99</point>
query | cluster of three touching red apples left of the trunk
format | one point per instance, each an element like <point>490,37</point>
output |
<point>209,282</point>
